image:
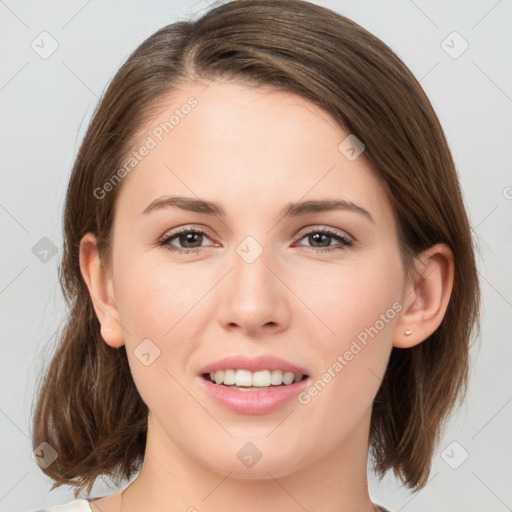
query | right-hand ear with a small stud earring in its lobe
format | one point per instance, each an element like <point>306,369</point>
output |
<point>426,297</point>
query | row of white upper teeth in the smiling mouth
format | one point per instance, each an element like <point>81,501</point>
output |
<point>260,379</point>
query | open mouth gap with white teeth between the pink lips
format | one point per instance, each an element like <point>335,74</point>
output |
<point>246,380</point>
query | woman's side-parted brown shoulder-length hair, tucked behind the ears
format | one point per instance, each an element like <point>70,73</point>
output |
<point>89,409</point>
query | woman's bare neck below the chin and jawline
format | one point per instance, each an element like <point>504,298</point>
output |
<point>171,480</point>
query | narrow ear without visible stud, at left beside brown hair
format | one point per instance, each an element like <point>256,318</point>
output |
<point>99,282</point>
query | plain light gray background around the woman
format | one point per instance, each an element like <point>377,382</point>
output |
<point>46,105</point>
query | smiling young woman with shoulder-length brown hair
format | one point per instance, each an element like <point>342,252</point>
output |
<point>269,269</point>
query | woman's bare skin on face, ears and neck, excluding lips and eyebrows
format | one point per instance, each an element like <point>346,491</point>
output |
<point>253,150</point>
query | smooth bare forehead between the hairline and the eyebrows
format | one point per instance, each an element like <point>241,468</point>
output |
<point>246,146</point>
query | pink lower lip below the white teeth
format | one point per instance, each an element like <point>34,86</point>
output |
<point>253,402</point>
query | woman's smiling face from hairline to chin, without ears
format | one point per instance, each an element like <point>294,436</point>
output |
<point>320,289</point>
